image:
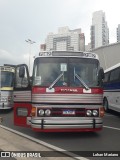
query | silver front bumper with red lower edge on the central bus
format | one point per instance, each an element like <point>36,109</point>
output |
<point>65,124</point>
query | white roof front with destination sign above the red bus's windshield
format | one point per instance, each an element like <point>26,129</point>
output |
<point>68,54</point>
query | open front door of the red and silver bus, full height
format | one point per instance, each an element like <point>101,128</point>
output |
<point>22,96</point>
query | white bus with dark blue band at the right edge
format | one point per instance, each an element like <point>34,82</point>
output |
<point>112,88</point>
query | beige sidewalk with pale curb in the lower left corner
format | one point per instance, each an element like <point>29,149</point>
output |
<point>15,146</point>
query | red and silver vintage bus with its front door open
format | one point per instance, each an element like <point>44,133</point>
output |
<point>64,93</point>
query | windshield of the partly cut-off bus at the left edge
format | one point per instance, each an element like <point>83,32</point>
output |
<point>6,79</point>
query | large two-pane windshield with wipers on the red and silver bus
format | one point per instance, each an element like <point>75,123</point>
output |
<point>51,72</point>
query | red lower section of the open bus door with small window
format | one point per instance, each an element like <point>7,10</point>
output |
<point>21,112</point>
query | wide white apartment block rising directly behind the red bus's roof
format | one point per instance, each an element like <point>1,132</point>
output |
<point>66,39</point>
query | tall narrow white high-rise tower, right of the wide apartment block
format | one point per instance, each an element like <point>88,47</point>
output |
<point>99,30</point>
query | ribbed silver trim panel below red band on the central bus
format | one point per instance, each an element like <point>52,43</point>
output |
<point>67,98</point>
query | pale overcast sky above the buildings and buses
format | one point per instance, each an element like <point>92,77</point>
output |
<point>34,19</point>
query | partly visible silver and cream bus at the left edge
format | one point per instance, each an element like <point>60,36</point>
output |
<point>6,86</point>
